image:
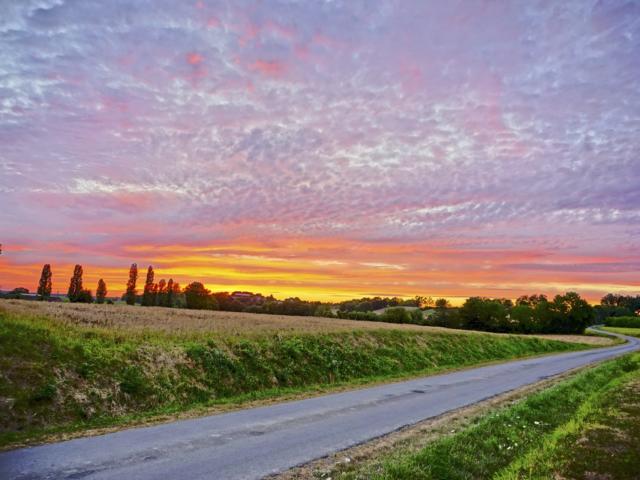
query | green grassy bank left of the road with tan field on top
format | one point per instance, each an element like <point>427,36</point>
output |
<point>68,368</point>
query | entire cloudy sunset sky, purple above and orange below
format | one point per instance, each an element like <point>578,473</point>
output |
<point>323,149</point>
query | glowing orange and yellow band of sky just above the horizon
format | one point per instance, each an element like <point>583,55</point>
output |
<point>311,270</point>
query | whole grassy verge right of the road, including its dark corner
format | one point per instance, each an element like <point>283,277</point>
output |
<point>586,424</point>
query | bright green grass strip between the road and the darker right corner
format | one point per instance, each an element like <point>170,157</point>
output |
<point>514,442</point>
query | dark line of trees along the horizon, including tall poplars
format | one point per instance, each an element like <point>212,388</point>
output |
<point>567,313</point>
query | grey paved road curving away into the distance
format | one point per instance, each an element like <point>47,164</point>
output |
<point>250,444</point>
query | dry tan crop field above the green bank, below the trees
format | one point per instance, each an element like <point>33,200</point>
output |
<point>183,322</point>
